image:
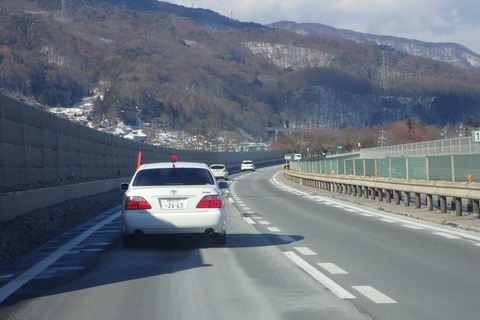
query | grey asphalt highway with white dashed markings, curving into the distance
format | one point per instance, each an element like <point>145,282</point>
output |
<point>289,255</point>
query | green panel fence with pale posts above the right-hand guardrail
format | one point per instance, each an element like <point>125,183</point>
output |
<point>455,167</point>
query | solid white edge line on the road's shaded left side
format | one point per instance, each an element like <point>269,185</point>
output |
<point>31,273</point>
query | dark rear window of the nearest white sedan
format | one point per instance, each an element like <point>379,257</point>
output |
<point>173,176</point>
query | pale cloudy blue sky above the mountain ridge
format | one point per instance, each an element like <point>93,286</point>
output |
<point>455,21</point>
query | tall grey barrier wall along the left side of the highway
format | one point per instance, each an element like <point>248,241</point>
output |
<point>46,159</point>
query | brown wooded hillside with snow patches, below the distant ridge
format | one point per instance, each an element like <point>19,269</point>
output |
<point>170,67</point>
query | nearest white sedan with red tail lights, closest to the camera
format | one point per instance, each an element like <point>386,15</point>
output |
<point>173,198</point>
